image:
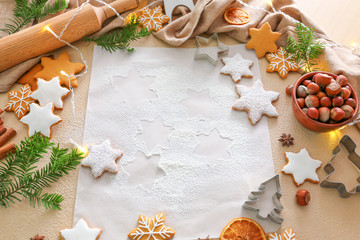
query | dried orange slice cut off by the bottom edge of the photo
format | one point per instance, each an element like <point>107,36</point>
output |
<point>244,229</point>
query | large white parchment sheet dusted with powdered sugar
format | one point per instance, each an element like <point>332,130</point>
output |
<point>197,158</point>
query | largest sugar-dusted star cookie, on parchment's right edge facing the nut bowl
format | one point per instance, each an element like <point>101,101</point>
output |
<point>256,101</point>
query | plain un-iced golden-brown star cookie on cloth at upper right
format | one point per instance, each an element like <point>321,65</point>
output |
<point>263,40</point>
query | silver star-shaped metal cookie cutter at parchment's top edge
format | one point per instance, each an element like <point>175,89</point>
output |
<point>222,49</point>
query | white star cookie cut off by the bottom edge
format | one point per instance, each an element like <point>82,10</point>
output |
<point>81,231</point>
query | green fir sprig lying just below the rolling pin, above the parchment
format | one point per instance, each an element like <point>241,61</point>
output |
<point>120,39</point>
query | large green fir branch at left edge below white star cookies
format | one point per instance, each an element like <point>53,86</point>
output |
<point>20,179</point>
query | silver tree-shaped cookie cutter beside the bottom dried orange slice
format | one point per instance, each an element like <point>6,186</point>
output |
<point>274,215</point>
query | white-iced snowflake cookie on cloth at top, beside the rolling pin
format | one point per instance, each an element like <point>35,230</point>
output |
<point>153,19</point>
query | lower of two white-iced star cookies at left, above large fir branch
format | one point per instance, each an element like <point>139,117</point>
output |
<point>40,119</point>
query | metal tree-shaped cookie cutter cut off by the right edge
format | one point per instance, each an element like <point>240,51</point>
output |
<point>350,146</point>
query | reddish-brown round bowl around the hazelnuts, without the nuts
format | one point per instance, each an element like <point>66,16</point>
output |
<point>314,125</point>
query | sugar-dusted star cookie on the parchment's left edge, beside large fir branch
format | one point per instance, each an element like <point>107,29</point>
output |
<point>102,158</point>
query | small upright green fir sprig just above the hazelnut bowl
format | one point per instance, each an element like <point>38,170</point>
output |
<point>306,50</point>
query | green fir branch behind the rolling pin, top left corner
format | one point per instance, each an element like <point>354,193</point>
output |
<point>24,12</point>
